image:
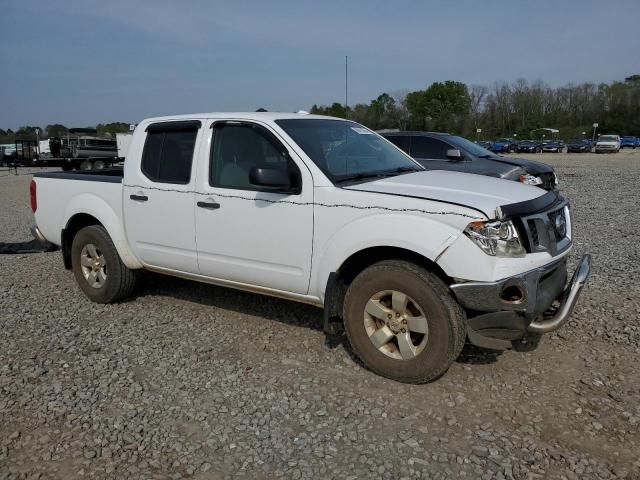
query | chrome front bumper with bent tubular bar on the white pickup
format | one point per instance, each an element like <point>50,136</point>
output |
<point>525,305</point>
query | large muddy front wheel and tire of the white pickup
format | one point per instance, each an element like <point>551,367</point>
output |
<point>403,322</point>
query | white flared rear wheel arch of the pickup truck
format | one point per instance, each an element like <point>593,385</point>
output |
<point>98,208</point>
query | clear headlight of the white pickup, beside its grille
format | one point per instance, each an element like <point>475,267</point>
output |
<point>496,238</point>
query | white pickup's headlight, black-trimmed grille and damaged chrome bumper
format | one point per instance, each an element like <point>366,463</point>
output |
<point>521,307</point>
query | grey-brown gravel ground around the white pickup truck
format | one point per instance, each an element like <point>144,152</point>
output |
<point>193,381</point>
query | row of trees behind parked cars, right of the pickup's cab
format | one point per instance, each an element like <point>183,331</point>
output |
<point>503,109</point>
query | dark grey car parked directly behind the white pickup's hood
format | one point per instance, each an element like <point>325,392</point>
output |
<point>443,151</point>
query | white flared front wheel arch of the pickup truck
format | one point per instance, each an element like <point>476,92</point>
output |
<point>424,236</point>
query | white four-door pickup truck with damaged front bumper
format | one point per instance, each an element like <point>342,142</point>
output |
<point>324,211</point>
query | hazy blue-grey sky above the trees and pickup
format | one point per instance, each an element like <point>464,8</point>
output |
<point>80,63</point>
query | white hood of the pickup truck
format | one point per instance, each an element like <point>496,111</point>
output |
<point>478,192</point>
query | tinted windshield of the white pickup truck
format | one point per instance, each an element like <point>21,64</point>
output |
<point>346,151</point>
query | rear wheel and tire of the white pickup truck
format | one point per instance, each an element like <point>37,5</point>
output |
<point>100,273</point>
